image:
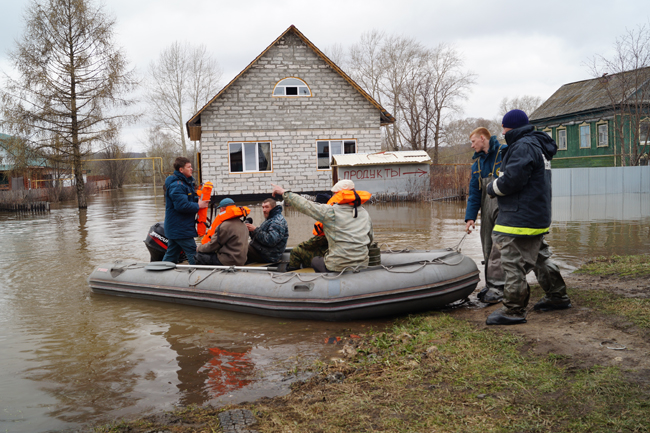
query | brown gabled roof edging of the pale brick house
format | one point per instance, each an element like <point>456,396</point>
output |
<point>386,117</point>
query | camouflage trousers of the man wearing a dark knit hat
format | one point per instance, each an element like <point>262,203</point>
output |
<point>520,255</point>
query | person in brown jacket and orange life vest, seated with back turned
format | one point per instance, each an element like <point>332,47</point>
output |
<point>228,245</point>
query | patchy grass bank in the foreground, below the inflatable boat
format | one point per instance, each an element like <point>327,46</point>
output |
<point>435,373</point>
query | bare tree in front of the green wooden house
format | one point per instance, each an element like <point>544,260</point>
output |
<point>625,77</point>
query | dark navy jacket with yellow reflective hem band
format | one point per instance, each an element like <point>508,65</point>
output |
<point>523,188</point>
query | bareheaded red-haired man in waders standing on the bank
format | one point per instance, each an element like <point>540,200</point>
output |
<point>487,163</point>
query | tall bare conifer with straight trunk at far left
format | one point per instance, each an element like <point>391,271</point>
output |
<point>70,85</point>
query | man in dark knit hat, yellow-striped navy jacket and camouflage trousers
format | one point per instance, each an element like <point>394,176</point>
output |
<point>523,191</point>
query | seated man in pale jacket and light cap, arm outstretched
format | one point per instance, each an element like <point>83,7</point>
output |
<point>346,224</point>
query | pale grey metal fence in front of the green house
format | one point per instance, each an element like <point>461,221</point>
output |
<point>568,182</point>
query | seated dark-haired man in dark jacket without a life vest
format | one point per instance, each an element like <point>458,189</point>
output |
<point>269,240</point>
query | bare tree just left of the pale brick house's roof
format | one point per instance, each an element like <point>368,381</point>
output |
<point>183,79</point>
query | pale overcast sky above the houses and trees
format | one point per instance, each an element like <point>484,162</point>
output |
<point>514,47</point>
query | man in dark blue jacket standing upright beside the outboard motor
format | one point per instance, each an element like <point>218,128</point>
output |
<point>181,206</point>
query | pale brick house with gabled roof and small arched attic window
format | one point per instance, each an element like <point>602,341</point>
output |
<point>282,119</point>
